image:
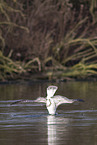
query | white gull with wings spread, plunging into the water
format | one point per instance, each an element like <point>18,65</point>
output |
<point>52,102</point>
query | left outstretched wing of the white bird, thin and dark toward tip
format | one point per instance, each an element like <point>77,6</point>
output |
<point>38,100</point>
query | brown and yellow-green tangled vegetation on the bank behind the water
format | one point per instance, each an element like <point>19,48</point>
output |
<point>48,39</point>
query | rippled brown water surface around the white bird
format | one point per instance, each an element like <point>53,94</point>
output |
<point>30,124</point>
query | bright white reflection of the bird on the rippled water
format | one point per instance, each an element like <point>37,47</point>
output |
<point>56,126</point>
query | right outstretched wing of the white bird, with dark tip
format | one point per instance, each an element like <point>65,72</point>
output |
<point>62,100</point>
